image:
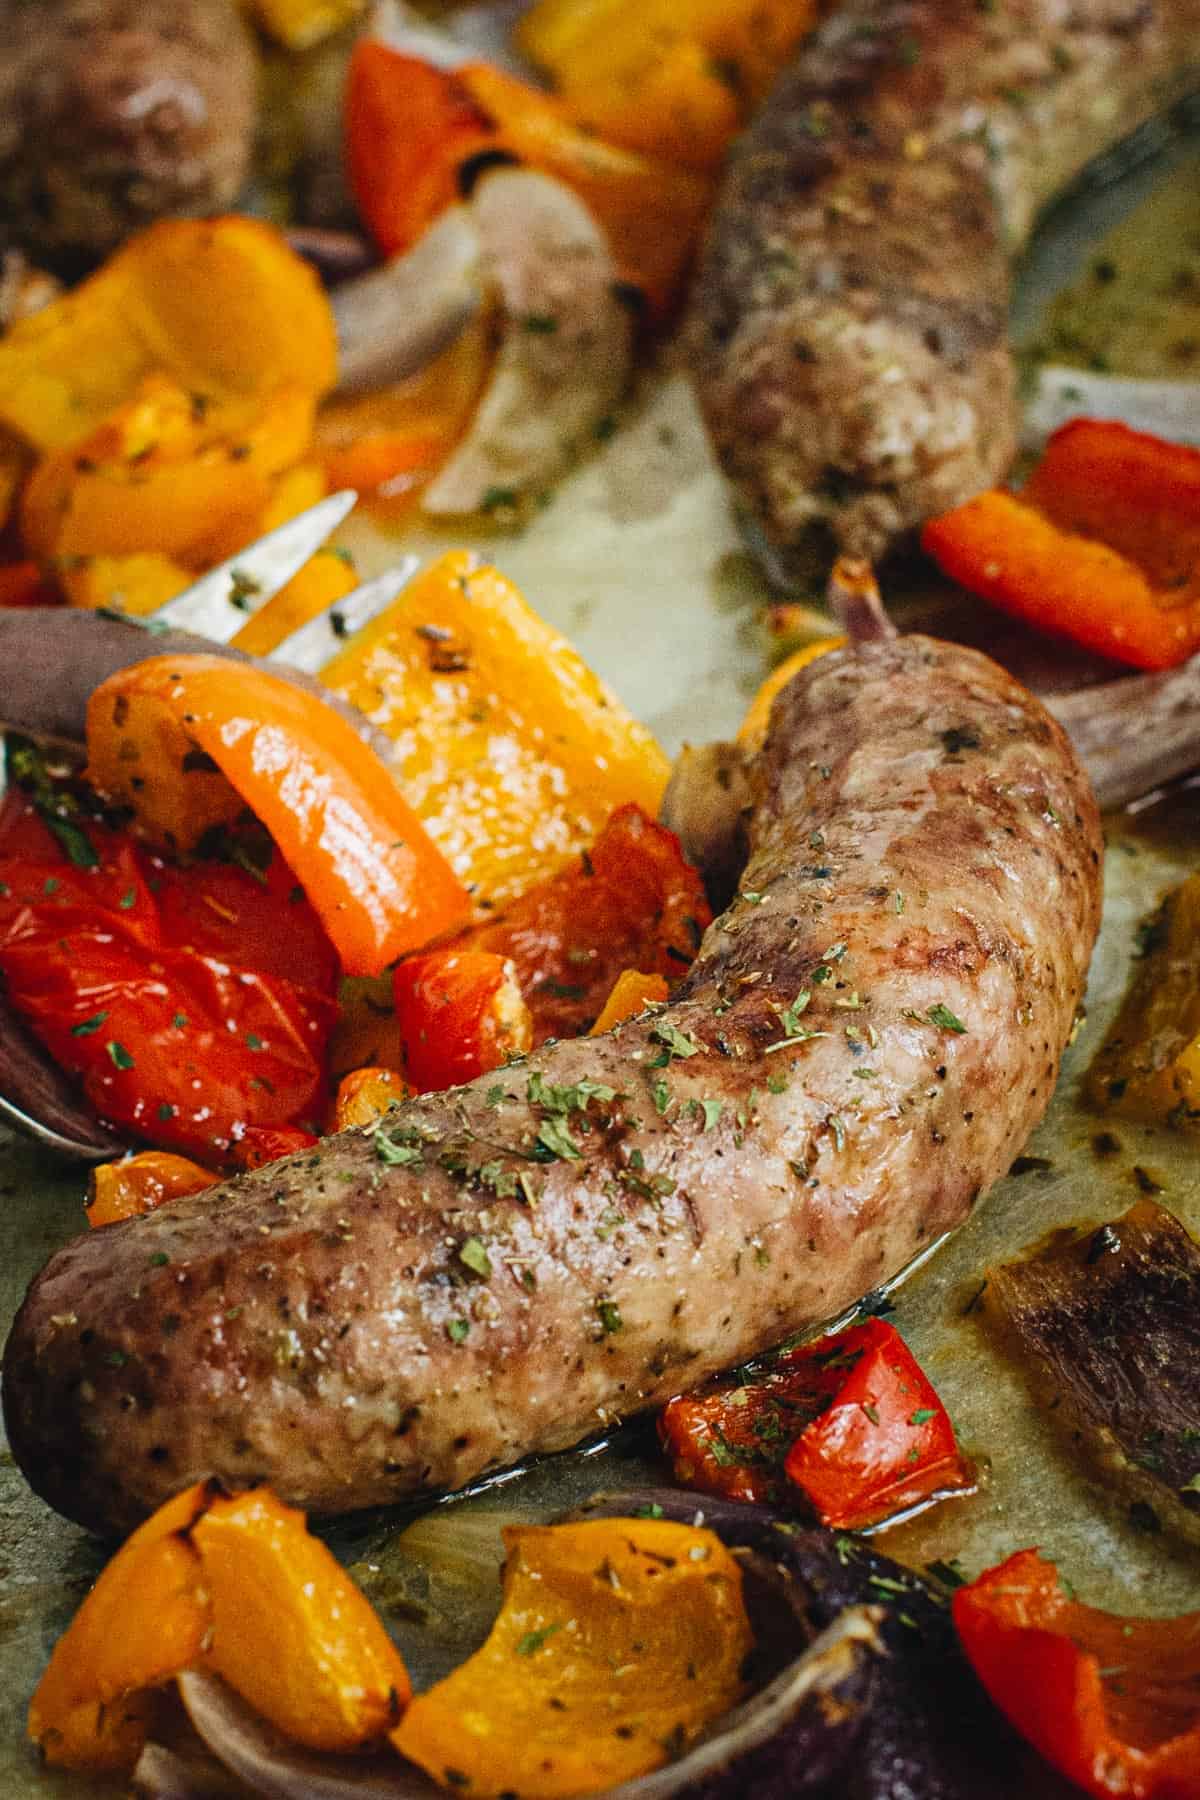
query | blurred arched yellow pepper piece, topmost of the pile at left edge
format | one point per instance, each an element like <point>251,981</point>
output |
<point>224,307</point>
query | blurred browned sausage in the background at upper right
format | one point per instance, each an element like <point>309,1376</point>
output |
<point>850,319</point>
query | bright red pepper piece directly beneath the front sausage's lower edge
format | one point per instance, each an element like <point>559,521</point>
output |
<point>850,1419</point>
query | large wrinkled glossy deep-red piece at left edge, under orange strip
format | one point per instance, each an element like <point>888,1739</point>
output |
<point>145,994</point>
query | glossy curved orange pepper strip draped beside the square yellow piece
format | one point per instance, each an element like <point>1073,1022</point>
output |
<point>372,874</point>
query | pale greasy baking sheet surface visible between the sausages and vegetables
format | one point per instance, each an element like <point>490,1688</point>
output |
<point>638,559</point>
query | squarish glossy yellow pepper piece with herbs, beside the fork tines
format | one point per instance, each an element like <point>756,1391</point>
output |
<point>510,750</point>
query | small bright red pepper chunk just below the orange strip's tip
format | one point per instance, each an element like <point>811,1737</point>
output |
<point>461,1014</point>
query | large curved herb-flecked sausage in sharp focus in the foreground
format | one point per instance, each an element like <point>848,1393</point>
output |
<point>863,1045</point>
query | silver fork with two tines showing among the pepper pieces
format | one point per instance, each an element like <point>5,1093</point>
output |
<point>37,1097</point>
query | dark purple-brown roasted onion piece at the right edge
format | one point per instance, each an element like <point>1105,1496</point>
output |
<point>1111,1324</point>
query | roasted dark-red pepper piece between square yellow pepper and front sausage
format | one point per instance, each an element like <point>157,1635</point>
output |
<point>629,903</point>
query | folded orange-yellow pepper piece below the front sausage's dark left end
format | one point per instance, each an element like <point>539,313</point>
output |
<point>235,1585</point>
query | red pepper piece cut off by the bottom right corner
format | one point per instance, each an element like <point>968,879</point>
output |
<point>1111,1702</point>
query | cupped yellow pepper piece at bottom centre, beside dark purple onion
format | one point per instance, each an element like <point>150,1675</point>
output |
<point>618,1642</point>
